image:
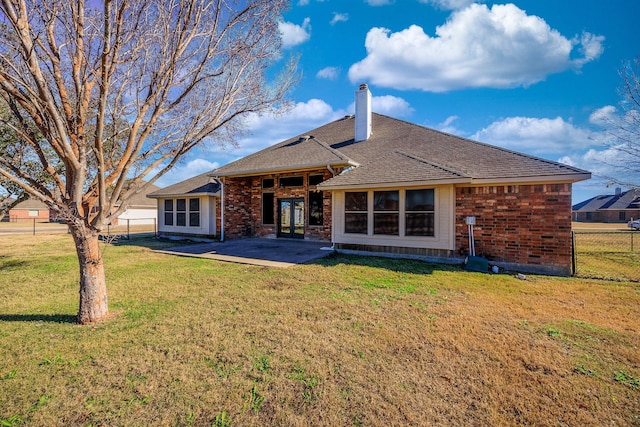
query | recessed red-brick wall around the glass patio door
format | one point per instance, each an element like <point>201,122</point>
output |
<point>243,206</point>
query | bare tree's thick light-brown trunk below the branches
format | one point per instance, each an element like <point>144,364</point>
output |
<point>93,285</point>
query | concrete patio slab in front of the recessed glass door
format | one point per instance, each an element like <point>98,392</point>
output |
<point>257,251</point>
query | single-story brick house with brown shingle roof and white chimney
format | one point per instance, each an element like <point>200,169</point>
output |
<point>372,184</point>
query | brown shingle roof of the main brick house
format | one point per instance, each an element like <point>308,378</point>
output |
<point>396,152</point>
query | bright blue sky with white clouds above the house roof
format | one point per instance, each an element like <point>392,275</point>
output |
<point>534,76</point>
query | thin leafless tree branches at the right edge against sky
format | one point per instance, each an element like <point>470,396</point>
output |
<point>623,128</point>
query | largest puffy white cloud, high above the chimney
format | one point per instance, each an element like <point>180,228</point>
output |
<point>500,47</point>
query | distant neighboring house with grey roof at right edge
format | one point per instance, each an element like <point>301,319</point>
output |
<point>620,207</point>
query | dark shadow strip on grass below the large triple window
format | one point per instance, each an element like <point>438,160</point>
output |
<point>400,265</point>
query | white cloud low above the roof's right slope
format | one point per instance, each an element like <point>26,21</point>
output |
<point>537,136</point>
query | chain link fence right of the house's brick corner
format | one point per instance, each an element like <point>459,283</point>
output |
<point>612,255</point>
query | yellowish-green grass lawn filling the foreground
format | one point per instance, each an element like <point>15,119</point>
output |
<point>344,341</point>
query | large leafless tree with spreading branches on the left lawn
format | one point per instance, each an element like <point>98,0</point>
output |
<point>108,95</point>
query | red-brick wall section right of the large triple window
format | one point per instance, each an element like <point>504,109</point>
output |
<point>518,224</point>
